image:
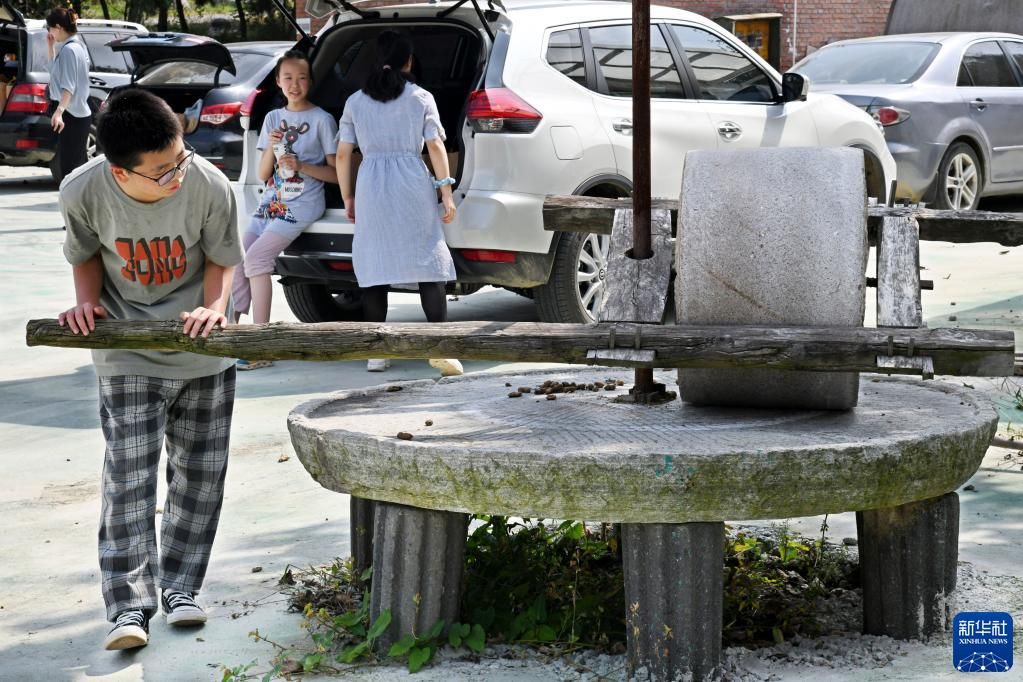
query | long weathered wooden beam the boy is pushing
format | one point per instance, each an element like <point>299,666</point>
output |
<point>963,352</point>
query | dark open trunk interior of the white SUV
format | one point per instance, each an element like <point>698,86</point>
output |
<point>450,62</point>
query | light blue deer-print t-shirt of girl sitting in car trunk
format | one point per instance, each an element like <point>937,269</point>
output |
<point>291,197</point>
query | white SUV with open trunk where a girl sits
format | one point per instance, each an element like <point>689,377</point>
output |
<point>537,100</point>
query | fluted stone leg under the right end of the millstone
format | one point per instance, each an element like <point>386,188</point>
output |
<point>908,558</point>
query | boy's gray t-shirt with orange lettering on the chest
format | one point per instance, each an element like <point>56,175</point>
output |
<point>154,256</point>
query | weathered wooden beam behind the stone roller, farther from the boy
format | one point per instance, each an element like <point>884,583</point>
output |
<point>592,214</point>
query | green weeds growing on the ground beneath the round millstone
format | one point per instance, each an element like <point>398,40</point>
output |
<point>558,587</point>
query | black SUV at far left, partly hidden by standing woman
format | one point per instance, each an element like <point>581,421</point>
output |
<point>26,135</point>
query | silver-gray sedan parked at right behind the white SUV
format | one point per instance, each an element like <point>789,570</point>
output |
<point>951,104</point>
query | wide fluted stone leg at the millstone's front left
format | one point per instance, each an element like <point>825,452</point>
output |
<point>418,563</point>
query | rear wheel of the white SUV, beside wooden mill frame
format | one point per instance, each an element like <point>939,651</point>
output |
<point>577,286</point>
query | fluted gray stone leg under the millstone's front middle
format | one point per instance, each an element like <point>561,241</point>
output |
<point>674,599</point>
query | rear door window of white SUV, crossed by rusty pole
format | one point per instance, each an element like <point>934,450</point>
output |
<point>613,55</point>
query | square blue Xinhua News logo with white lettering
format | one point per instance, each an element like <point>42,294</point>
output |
<point>983,643</point>
